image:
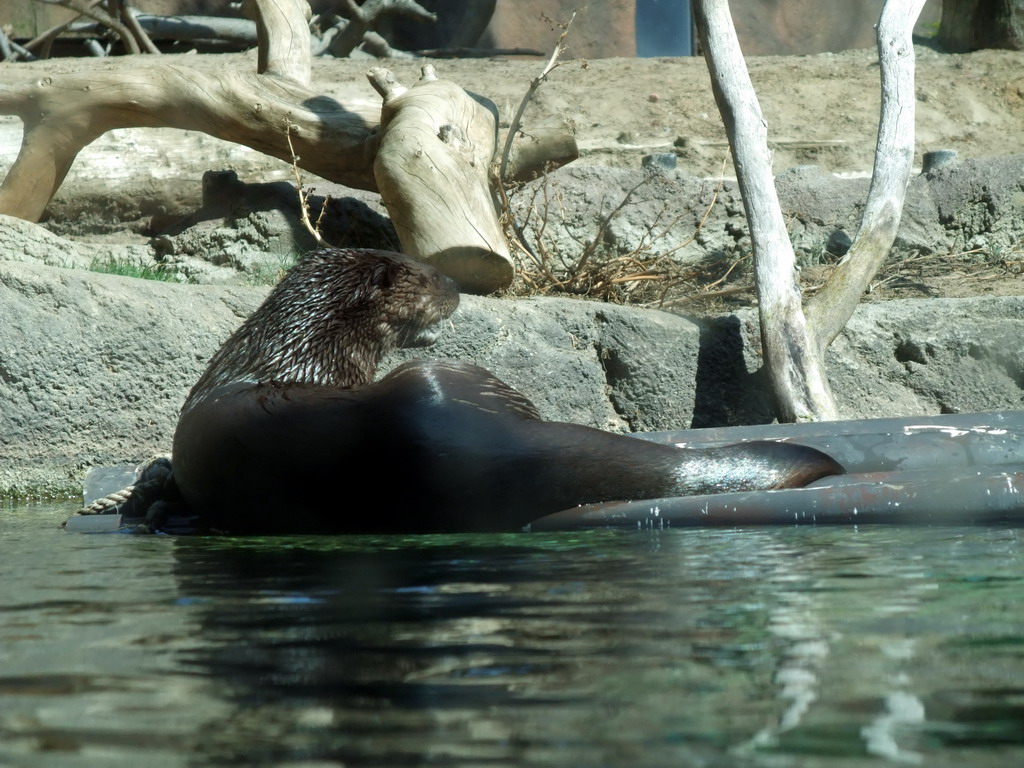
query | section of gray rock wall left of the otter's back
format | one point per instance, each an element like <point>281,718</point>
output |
<point>95,367</point>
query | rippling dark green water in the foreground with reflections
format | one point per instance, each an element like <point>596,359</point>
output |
<point>760,648</point>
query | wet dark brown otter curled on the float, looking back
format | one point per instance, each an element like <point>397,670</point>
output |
<point>287,433</point>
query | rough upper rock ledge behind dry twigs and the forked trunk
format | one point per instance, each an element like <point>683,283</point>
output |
<point>968,206</point>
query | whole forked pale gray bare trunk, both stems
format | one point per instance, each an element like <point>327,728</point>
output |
<point>794,343</point>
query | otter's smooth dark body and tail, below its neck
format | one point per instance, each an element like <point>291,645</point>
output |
<point>433,447</point>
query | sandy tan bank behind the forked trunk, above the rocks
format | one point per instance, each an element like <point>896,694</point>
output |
<point>821,110</point>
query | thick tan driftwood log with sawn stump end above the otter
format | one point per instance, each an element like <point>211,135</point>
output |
<point>435,129</point>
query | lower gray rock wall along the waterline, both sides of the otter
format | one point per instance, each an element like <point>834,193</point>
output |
<point>95,367</point>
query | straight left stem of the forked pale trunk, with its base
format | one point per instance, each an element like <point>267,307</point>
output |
<point>793,359</point>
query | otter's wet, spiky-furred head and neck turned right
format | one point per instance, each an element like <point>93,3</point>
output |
<point>331,320</point>
